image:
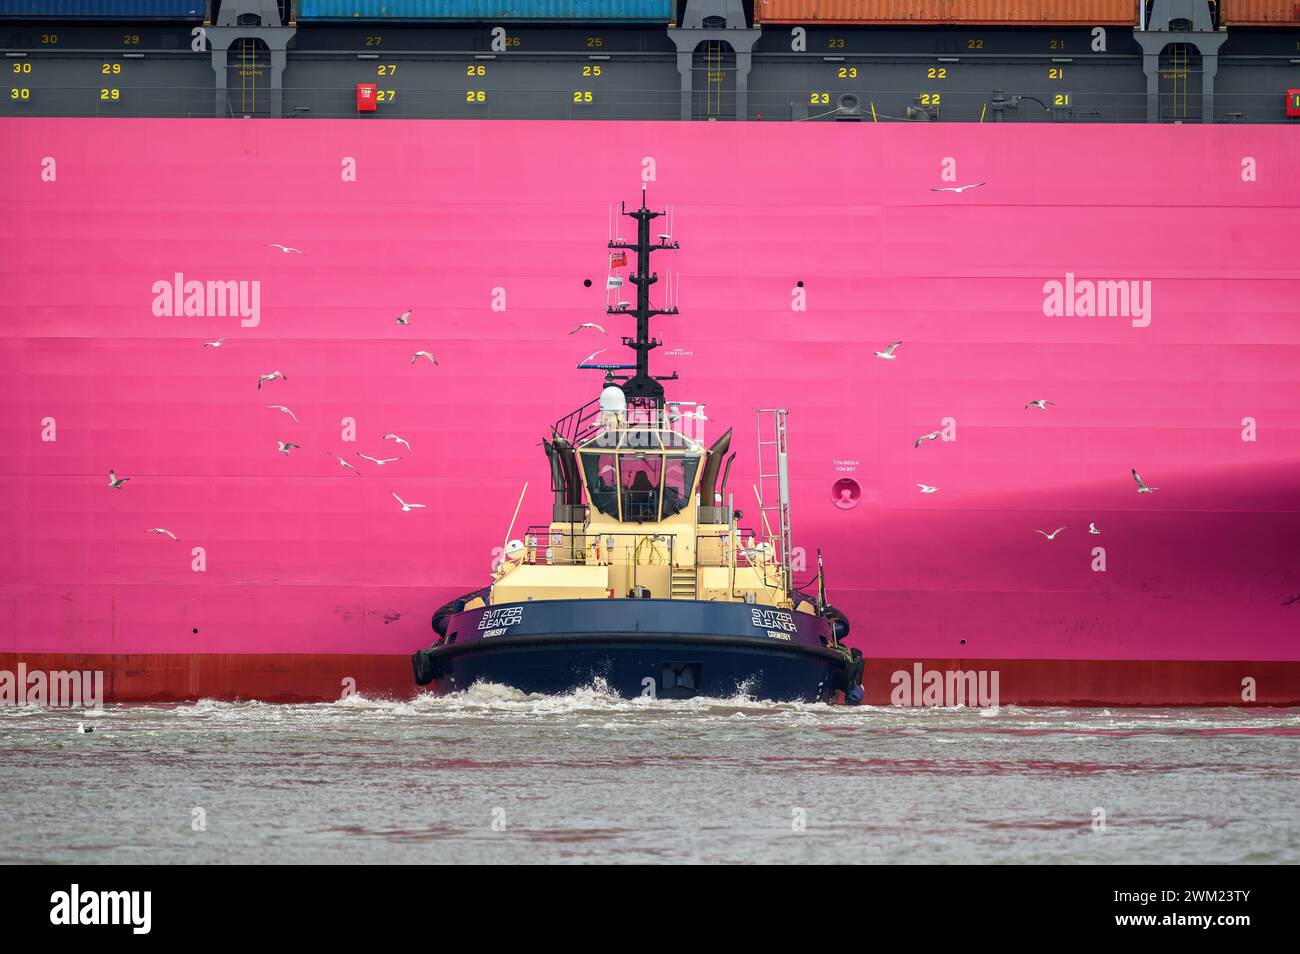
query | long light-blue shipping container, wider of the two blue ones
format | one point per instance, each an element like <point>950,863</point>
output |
<point>573,11</point>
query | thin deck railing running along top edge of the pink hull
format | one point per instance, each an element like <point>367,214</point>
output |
<point>874,106</point>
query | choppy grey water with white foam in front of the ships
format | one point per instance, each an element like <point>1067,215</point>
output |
<point>493,777</point>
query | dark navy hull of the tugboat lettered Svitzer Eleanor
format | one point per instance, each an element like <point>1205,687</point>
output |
<point>636,648</point>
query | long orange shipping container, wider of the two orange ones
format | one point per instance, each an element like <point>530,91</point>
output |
<point>964,12</point>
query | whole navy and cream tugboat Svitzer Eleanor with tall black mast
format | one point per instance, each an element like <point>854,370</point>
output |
<point>644,583</point>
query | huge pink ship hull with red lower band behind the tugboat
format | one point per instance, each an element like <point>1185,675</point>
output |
<point>304,560</point>
